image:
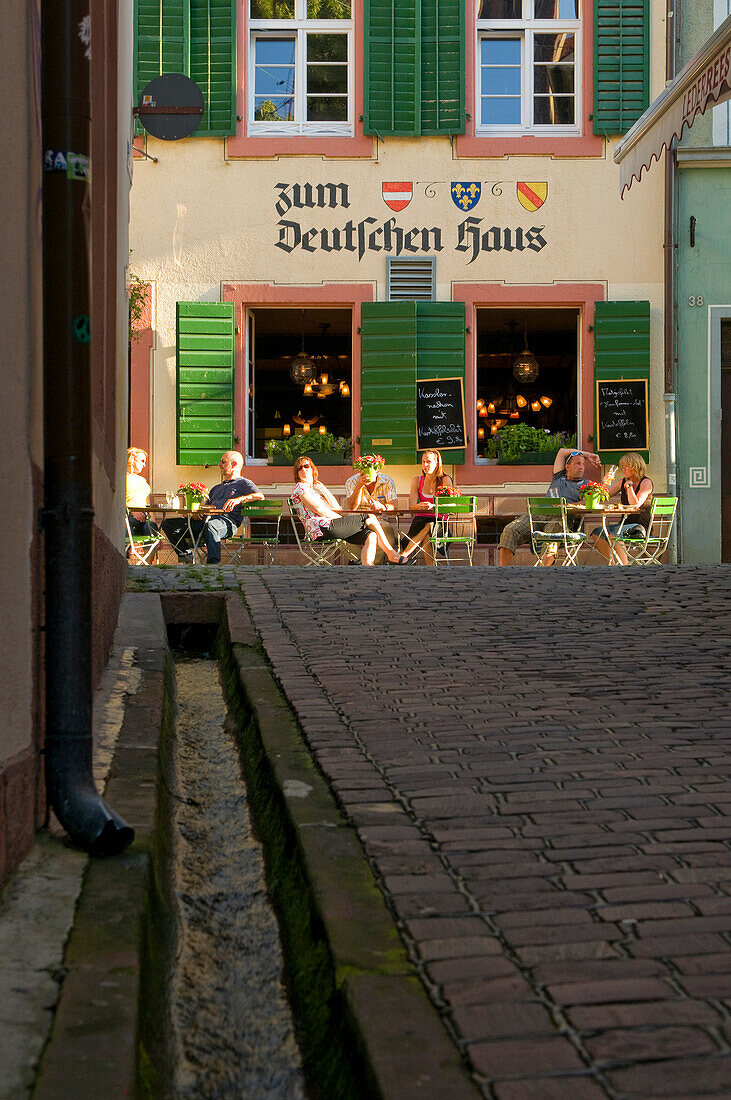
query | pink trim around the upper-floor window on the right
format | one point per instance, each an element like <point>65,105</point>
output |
<point>584,145</point>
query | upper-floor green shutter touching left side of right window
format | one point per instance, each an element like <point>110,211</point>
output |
<point>442,68</point>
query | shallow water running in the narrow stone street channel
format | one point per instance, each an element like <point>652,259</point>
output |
<point>232,1025</point>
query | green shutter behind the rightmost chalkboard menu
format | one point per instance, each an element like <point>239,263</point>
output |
<point>622,348</point>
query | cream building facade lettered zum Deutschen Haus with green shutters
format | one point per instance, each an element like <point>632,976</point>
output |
<point>403,193</point>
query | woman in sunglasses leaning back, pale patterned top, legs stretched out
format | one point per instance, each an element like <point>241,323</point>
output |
<point>323,518</point>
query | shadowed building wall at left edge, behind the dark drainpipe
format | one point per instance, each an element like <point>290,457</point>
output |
<point>23,795</point>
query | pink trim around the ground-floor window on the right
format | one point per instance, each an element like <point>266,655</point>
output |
<point>581,296</point>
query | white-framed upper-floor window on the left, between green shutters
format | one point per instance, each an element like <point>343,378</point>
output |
<point>301,68</point>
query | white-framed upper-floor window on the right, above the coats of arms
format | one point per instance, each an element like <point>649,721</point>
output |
<point>528,67</point>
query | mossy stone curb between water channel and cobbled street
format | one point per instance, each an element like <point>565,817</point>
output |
<point>402,1038</point>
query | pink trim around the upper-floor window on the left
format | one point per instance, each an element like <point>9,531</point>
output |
<point>360,145</point>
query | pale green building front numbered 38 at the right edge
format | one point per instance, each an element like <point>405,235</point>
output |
<point>704,313</point>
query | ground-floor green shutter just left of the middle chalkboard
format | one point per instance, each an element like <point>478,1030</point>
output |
<point>389,380</point>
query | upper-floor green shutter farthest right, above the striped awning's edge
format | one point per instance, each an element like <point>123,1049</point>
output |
<point>622,64</point>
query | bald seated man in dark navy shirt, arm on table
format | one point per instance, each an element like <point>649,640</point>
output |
<point>229,496</point>
